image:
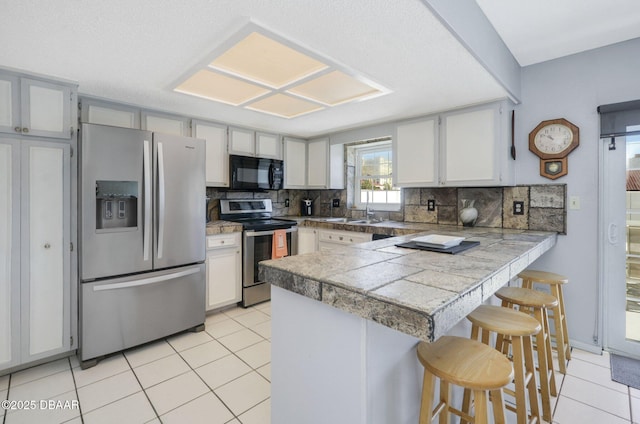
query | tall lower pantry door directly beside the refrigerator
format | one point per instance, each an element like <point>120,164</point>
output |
<point>46,253</point>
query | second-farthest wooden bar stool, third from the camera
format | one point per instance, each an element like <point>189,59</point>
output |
<point>538,303</point>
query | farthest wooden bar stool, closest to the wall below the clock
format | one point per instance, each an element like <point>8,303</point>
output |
<point>555,282</point>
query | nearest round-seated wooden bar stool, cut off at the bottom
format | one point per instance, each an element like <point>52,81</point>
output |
<point>468,364</point>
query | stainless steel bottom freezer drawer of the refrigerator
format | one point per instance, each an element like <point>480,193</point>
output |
<point>124,312</point>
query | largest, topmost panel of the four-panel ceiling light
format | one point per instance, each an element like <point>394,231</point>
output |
<point>261,59</point>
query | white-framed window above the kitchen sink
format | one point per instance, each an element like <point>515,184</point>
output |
<point>374,177</point>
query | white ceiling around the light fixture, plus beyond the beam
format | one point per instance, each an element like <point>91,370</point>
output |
<point>134,51</point>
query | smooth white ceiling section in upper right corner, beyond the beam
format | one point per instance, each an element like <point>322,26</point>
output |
<point>541,30</point>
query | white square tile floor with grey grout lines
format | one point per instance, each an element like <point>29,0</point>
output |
<point>222,375</point>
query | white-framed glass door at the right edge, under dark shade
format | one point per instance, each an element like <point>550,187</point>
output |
<point>620,231</point>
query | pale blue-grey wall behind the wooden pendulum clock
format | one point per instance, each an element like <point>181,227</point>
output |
<point>572,88</point>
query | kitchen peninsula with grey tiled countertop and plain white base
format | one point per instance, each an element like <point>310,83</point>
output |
<point>345,323</point>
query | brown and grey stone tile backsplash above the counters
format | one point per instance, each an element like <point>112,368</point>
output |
<point>544,205</point>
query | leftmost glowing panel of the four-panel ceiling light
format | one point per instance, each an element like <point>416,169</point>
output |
<point>215,86</point>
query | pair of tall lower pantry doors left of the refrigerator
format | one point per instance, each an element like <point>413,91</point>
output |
<point>35,236</point>
